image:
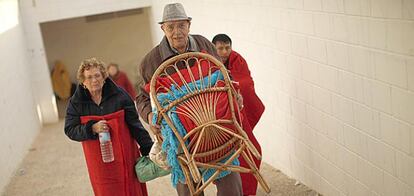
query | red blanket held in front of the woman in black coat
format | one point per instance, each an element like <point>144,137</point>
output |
<point>117,177</point>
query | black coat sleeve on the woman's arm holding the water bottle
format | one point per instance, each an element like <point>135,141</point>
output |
<point>73,127</point>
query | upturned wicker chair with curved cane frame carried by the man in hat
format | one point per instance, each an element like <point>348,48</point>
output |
<point>214,140</point>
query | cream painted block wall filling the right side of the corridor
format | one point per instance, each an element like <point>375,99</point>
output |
<point>337,79</point>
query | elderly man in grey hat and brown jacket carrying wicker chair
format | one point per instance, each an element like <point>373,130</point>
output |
<point>176,27</point>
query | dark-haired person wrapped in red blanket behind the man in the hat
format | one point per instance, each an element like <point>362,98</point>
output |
<point>253,106</point>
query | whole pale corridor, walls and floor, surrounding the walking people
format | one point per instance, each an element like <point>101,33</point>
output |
<point>336,78</point>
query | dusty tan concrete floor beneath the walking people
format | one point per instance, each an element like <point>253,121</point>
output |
<point>55,165</point>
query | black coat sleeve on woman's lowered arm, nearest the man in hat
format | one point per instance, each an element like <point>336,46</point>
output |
<point>136,129</point>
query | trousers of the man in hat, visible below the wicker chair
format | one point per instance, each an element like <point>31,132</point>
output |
<point>229,185</point>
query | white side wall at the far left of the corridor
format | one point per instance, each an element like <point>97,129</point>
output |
<point>19,122</point>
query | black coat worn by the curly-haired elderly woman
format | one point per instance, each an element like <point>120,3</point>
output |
<point>113,100</point>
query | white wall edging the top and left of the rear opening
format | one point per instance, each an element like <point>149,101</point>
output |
<point>39,11</point>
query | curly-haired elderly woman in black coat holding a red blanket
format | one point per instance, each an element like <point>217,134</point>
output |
<point>98,105</point>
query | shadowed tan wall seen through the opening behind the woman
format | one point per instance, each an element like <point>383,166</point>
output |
<point>123,40</point>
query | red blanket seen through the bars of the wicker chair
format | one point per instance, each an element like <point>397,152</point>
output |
<point>222,107</point>
